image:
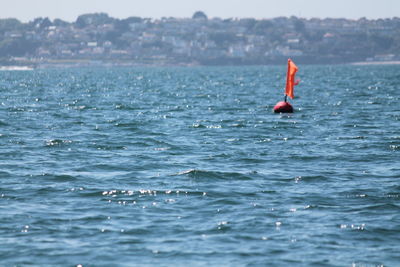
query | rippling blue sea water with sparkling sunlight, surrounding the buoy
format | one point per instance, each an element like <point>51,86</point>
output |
<point>190,167</point>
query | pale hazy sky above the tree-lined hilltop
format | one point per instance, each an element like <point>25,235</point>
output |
<point>69,10</point>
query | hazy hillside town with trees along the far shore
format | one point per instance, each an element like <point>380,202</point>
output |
<point>98,39</point>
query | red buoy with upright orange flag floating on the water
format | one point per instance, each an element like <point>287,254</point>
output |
<point>284,106</point>
